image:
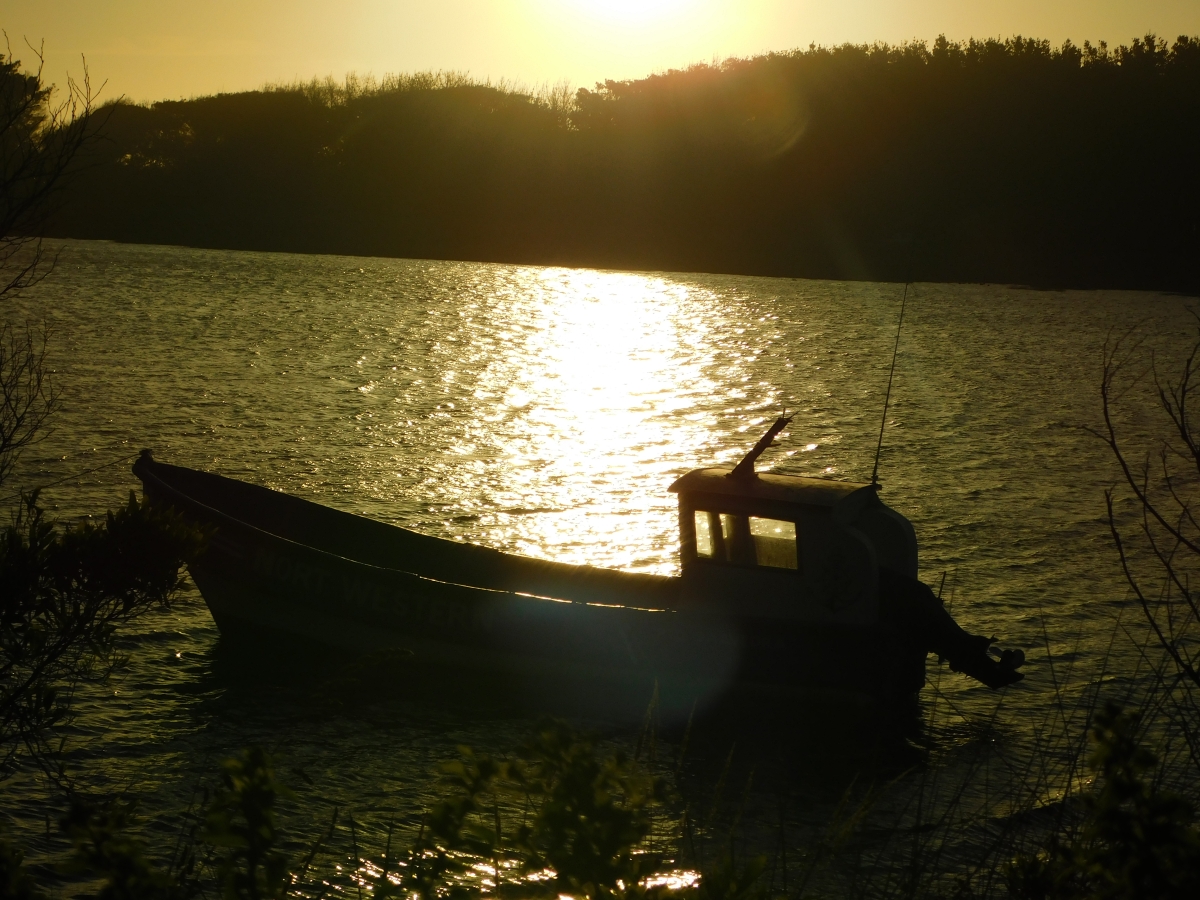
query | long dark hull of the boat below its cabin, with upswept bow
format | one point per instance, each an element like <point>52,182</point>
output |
<point>625,633</point>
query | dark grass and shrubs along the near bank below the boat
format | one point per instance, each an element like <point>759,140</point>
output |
<point>1084,809</point>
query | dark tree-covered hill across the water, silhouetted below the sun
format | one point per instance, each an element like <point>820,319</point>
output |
<point>1001,161</point>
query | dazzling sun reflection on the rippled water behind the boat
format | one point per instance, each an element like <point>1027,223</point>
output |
<point>572,423</point>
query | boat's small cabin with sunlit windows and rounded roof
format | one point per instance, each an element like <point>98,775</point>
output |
<point>787,547</point>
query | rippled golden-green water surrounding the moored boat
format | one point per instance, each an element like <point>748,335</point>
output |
<point>545,412</point>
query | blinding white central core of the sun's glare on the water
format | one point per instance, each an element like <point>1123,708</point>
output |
<point>601,388</point>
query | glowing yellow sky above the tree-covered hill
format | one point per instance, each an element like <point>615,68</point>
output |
<point>164,50</point>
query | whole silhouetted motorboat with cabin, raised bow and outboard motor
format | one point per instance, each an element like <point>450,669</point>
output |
<point>787,583</point>
